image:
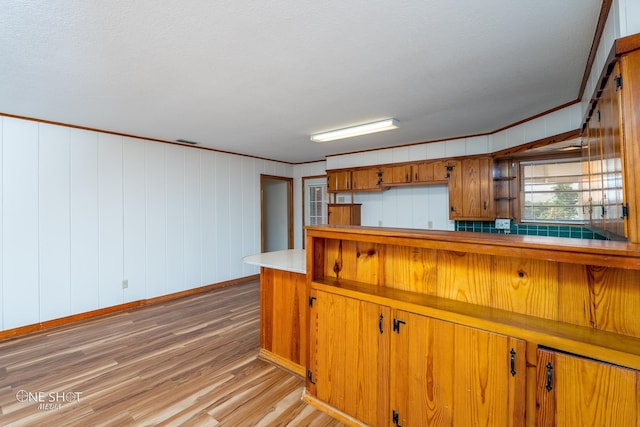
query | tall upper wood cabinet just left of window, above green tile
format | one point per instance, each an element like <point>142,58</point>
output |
<point>470,189</point>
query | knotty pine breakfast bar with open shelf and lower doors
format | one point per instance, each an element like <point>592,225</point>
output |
<point>420,327</point>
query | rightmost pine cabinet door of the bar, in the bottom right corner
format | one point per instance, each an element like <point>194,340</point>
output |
<point>574,391</point>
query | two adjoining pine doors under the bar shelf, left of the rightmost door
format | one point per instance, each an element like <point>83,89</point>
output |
<point>389,367</point>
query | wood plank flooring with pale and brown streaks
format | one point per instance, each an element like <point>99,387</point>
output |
<point>187,362</point>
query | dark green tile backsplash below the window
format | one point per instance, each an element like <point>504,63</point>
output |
<point>573,231</point>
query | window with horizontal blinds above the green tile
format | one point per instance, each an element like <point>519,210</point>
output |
<point>553,191</point>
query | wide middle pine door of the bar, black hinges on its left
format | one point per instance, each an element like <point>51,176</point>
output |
<point>444,374</point>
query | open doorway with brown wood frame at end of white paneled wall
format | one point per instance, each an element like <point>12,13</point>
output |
<point>276,213</point>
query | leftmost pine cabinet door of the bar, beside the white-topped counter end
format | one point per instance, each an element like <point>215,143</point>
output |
<point>349,356</point>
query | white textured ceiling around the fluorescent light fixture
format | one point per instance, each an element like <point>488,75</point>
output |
<point>258,77</point>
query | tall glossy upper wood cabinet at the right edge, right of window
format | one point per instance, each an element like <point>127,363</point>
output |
<point>611,134</point>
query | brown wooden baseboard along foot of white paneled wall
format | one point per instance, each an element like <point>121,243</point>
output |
<point>74,318</point>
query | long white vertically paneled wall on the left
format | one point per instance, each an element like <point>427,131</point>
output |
<point>82,211</point>
